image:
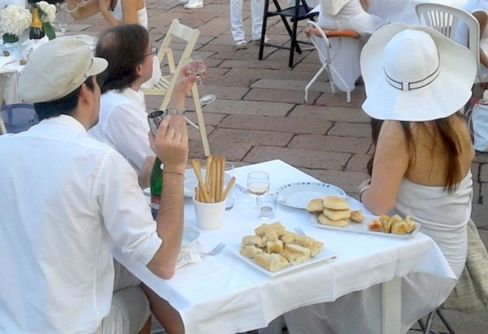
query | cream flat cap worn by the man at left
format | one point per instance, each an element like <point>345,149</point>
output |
<point>56,69</point>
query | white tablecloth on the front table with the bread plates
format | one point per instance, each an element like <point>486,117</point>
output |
<point>223,294</point>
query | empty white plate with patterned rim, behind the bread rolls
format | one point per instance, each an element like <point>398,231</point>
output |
<point>298,195</point>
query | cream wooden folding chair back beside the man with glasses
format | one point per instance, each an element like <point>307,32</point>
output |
<point>176,32</point>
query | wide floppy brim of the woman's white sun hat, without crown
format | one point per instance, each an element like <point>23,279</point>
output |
<point>444,96</point>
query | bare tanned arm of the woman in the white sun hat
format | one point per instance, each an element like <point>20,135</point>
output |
<point>389,167</point>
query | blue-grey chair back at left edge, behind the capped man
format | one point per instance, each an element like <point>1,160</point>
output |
<point>18,117</point>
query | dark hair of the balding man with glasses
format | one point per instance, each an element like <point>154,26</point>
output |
<point>124,47</point>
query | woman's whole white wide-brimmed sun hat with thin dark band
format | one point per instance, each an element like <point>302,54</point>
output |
<point>414,73</point>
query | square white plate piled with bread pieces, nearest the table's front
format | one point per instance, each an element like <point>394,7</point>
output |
<point>275,251</point>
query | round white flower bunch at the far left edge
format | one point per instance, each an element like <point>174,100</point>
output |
<point>14,20</point>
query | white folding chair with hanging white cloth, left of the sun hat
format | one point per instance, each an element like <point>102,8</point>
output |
<point>339,57</point>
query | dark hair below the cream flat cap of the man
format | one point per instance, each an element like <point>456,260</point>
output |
<point>62,106</point>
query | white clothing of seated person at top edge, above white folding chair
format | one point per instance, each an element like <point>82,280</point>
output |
<point>351,16</point>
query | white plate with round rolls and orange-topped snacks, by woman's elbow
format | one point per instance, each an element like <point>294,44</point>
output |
<point>334,213</point>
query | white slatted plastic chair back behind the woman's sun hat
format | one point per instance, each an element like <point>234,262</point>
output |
<point>452,22</point>
